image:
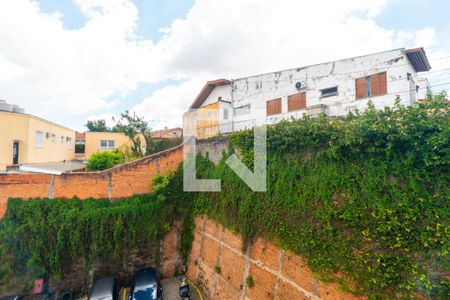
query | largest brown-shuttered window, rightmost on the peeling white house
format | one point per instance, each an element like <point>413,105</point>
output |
<point>370,86</point>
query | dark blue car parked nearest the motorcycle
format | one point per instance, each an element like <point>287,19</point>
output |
<point>146,285</point>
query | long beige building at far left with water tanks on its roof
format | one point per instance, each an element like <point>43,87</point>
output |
<point>27,139</point>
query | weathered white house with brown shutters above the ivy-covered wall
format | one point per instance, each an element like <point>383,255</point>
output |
<point>333,88</point>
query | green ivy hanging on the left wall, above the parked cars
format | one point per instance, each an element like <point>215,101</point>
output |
<point>45,237</point>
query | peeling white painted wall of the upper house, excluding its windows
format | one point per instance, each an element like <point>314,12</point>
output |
<point>257,90</point>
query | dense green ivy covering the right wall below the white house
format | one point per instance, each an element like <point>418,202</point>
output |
<point>366,197</point>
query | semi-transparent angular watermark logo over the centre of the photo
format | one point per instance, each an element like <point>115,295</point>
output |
<point>204,123</point>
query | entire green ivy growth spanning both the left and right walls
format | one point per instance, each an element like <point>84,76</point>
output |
<point>365,197</point>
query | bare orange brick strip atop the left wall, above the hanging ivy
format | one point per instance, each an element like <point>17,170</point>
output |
<point>122,181</point>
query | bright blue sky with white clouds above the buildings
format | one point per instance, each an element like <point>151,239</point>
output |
<point>70,61</point>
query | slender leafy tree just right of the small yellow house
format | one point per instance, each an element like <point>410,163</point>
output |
<point>135,128</point>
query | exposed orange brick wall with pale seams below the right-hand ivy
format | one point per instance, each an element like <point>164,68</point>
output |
<point>277,274</point>
